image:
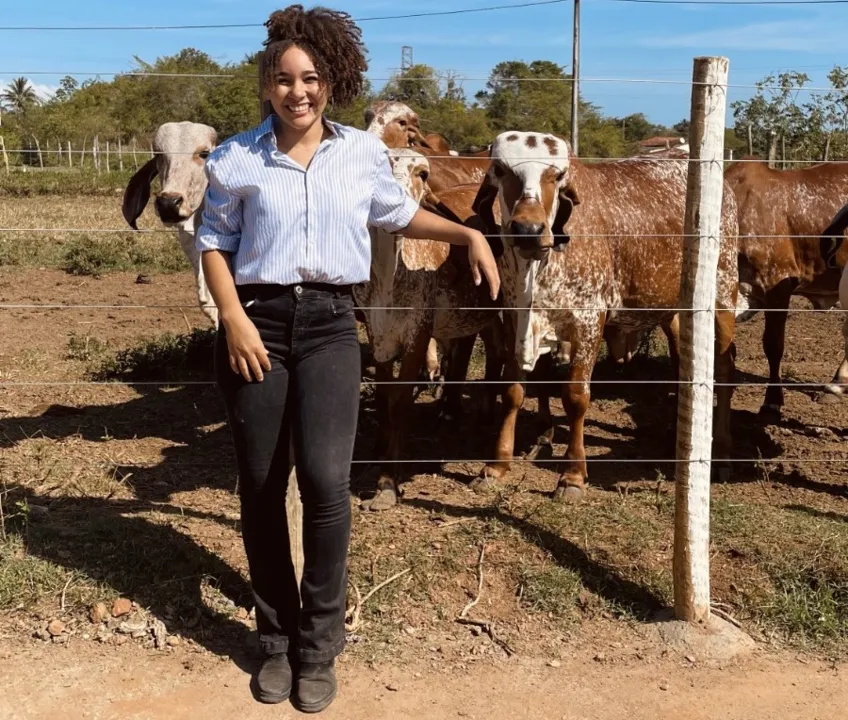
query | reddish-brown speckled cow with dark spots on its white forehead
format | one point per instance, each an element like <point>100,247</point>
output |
<point>606,241</point>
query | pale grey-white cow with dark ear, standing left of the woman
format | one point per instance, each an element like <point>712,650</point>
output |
<point>181,149</point>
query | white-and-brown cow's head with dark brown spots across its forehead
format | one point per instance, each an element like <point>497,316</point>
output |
<point>529,174</point>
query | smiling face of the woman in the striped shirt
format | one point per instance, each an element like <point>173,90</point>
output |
<point>297,93</point>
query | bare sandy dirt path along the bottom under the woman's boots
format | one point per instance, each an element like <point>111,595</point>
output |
<point>86,682</point>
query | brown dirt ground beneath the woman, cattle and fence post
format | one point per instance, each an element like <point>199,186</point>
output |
<point>134,491</point>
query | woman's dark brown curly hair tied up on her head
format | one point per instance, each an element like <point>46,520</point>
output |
<point>330,38</point>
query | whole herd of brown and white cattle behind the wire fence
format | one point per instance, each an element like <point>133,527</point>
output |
<point>587,253</point>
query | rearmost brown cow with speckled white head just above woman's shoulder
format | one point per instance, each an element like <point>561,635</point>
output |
<point>396,124</point>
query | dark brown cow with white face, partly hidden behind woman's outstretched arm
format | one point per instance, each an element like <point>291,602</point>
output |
<point>422,279</point>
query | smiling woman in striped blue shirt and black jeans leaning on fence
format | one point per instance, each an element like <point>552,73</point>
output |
<point>284,237</point>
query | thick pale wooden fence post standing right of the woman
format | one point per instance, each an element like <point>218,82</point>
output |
<point>702,237</point>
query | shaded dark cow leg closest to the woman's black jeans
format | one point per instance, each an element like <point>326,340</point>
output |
<point>399,403</point>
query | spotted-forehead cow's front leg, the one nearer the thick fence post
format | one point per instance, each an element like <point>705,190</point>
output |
<point>575,399</point>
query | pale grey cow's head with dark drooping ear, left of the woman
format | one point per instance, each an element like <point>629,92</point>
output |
<point>181,149</point>
